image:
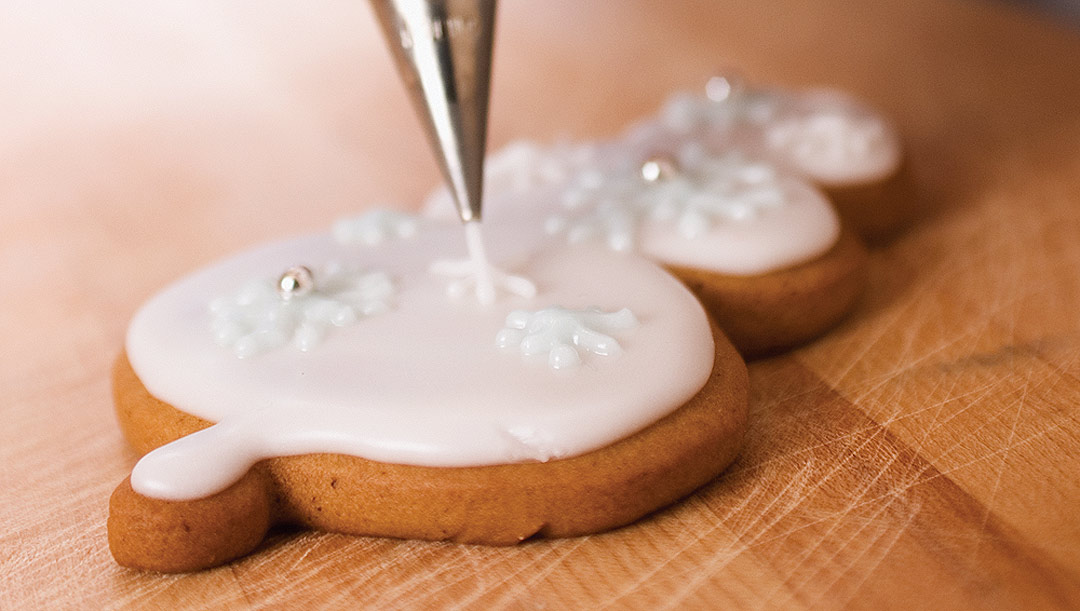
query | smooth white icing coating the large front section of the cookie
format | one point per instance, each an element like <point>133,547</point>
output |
<point>422,384</point>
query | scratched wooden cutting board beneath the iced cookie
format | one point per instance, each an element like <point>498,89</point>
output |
<point>925,455</point>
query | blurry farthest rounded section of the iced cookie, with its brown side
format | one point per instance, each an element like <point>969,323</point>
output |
<point>828,138</point>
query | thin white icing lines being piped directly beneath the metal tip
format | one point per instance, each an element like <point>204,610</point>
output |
<point>478,273</point>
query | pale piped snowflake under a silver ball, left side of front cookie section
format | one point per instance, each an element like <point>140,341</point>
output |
<point>259,318</point>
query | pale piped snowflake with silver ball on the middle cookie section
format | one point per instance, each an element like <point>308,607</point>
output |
<point>703,193</point>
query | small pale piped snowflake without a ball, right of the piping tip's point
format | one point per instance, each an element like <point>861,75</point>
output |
<point>562,334</point>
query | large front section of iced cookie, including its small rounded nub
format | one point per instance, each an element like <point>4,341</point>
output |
<point>342,383</point>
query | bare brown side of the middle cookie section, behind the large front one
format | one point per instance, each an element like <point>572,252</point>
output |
<point>768,314</point>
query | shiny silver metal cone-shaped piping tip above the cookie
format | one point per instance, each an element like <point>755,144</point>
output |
<point>443,52</point>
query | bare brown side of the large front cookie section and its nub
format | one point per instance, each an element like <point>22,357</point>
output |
<point>496,506</point>
